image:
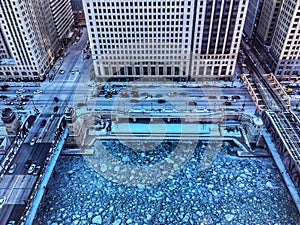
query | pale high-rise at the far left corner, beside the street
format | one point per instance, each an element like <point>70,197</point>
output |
<point>29,38</point>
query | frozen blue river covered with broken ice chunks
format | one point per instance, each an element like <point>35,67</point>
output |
<point>228,190</point>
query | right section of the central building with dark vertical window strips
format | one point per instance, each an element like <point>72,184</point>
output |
<point>217,32</point>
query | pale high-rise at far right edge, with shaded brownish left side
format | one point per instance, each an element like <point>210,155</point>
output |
<point>282,38</point>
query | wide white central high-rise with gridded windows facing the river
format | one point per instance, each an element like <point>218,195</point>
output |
<point>176,39</point>
